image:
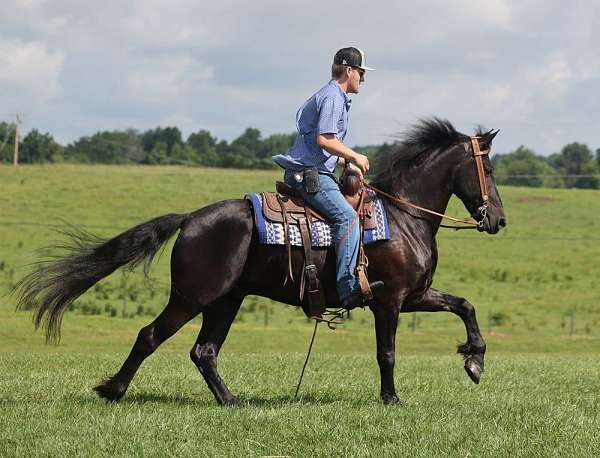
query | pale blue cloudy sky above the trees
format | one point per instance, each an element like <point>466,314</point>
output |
<point>530,68</point>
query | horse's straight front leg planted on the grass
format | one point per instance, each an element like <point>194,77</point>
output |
<point>386,322</point>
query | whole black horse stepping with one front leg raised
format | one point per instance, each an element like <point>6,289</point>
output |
<point>217,261</point>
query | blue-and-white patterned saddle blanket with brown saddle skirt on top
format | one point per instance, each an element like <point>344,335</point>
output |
<point>270,221</point>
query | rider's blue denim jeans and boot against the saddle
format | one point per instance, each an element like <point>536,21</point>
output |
<point>330,202</point>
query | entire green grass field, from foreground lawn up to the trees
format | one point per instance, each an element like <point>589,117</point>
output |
<point>538,397</point>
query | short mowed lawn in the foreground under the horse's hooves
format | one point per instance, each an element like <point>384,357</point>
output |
<point>528,404</point>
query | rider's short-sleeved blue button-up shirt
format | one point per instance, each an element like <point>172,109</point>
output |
<point>325,112</point>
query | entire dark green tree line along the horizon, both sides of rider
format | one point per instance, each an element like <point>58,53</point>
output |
<point>575,166</point>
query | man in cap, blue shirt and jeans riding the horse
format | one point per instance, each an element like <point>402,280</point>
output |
<point>322,123</point>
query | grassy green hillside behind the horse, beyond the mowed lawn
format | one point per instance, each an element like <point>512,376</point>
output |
<point>527,280</point>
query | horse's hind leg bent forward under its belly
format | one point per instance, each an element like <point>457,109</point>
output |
<point>216,321</point>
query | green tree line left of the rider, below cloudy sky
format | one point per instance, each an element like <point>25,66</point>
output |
<point>159,146</point>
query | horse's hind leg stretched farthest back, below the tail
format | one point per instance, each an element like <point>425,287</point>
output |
<point>177,313</point>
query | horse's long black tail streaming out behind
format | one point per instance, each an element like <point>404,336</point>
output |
<point>55,283</point>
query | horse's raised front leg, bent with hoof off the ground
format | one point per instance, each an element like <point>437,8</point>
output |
<point>474,349</point>
